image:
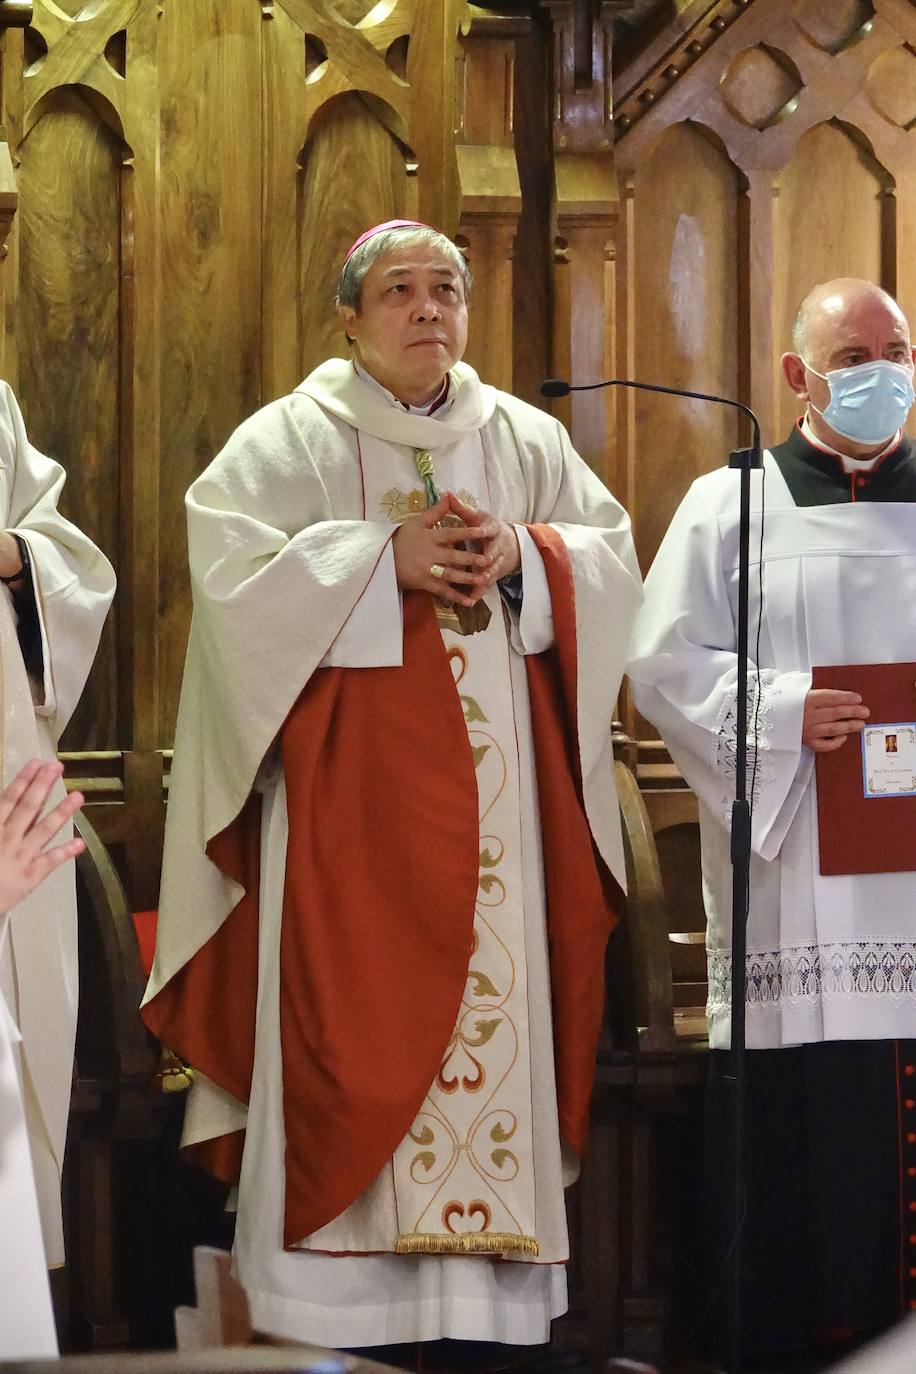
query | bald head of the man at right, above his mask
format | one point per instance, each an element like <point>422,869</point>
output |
<point>836,315</point>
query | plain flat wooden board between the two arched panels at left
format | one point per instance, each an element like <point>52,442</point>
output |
<point>209,90</point>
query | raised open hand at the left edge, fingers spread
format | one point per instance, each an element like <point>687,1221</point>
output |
<point>25,862</point>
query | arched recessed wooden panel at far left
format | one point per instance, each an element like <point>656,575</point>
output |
<point>67,329</point>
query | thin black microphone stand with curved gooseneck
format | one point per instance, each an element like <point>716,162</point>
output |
<point>742,460</point>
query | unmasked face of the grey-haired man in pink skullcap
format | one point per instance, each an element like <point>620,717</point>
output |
<point>413,321</point>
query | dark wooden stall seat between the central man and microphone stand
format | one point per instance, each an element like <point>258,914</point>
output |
<point>649,1088</point>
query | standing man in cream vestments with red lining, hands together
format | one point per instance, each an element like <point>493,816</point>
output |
<point>415,718</point>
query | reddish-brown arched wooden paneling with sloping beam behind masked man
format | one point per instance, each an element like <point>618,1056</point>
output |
<point>812,109</point>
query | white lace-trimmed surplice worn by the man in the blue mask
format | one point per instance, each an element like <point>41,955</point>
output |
<point>829,958</point>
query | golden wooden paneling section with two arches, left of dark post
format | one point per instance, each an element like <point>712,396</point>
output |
<point>190,174</point>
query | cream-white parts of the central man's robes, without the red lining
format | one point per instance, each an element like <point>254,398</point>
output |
<point>293,571</point>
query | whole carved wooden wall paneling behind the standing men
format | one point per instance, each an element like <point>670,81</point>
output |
<point>642,190</point>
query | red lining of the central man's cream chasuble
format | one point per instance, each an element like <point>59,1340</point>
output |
<point>378,913</point>
